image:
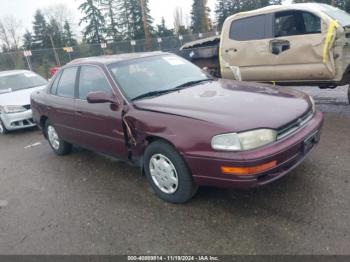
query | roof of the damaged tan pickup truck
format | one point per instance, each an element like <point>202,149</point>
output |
<point>312,7</point>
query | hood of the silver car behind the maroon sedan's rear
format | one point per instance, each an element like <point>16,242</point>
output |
<point>20,98</point>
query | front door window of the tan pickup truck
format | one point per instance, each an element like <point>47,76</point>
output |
<point>296,23</point>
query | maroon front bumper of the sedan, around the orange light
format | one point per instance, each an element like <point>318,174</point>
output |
<point>288,154</point>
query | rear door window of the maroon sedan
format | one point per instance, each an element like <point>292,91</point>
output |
<point>66,85</point>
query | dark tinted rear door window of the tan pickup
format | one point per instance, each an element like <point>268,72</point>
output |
<point>251,28</point>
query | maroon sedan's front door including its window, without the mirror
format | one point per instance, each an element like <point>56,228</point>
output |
<point>99,125</point>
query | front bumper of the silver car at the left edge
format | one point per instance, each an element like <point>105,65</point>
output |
<point>15,121</point>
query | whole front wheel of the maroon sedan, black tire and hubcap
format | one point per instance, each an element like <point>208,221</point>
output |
<point>163,167</point>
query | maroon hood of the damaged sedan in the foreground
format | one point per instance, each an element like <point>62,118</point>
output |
<point>235,106</point>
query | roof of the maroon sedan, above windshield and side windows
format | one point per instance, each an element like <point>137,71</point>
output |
<point>109,59</point>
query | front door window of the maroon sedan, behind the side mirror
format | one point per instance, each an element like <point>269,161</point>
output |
<point>92,79</point>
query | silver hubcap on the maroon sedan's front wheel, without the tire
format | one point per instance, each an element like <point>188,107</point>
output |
<point>164,174</point>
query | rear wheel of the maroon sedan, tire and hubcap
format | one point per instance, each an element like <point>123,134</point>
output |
<point>58,145</point>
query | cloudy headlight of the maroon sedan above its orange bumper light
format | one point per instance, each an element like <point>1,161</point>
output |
<point>244,141</point>
